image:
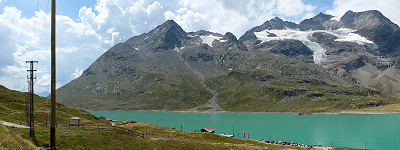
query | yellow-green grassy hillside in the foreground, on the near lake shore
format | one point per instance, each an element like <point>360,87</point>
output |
<point>12,110</point>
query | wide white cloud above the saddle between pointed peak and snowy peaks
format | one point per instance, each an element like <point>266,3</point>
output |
<point>236,16</point>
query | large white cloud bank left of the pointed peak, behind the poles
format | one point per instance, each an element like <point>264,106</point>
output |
<point>79,42</point>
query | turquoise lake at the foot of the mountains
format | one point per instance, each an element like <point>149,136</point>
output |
<point>355,131</point>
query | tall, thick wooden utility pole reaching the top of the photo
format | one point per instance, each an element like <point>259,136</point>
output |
<point>53,76</point>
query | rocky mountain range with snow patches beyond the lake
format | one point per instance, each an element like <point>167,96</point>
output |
<point>318,65</point>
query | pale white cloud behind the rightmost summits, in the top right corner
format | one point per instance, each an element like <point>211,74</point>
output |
<point>389,8</point>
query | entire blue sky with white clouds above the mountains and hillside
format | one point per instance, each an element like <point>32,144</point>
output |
<point>87,28</point>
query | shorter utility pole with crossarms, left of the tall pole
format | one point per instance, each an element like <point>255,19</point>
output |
<point>31,77</point>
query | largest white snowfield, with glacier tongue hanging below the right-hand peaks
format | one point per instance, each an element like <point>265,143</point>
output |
<point>318,52</point>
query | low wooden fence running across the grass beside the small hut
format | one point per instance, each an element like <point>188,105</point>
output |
<point>99,127</point>
